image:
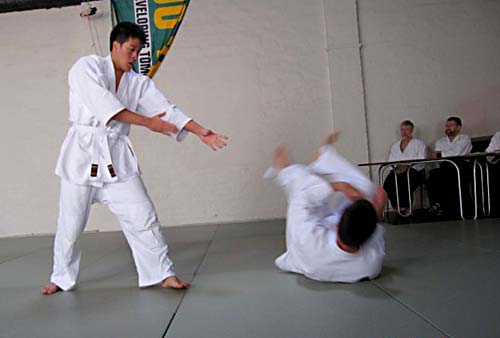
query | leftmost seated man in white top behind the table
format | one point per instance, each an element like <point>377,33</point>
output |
<point>408,148</point>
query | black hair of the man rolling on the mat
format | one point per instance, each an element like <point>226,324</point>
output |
<point>357,223</point>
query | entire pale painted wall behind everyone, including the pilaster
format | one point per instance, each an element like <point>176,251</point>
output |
<point>263,72</point>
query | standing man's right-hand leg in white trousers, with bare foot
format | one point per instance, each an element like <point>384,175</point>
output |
<point>132,206</point>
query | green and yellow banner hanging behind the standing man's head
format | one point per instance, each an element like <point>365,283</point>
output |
<point>160,20</point>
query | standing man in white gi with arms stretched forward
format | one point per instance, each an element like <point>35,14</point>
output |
<point>97,163</point>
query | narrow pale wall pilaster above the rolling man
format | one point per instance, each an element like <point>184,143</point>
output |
<point>346,78</point>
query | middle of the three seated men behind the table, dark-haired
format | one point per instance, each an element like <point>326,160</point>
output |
<point>442,185</point>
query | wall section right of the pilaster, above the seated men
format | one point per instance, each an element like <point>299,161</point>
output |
<point>426,60</point>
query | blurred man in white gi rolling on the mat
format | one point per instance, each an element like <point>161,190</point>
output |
<point>336,242</point>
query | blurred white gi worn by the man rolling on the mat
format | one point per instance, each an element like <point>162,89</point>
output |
<point>311,230</point>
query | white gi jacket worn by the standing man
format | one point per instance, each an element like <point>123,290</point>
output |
<point>97,149</point>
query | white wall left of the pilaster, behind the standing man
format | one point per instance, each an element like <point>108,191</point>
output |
<point>253,70</point>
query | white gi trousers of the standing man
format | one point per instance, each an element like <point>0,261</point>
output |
<point>130,203</point>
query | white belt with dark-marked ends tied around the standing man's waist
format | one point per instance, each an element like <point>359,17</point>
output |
<point>100,146</point>
